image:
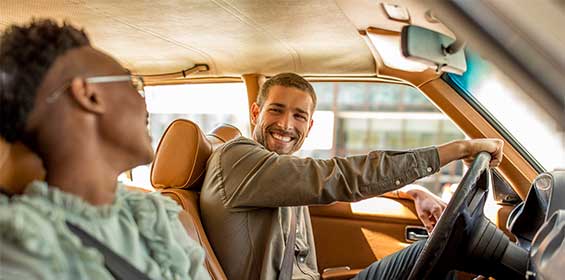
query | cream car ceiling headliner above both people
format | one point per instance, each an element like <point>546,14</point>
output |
<point>313,37</point>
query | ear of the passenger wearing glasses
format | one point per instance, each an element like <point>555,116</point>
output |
<point>86,96</point>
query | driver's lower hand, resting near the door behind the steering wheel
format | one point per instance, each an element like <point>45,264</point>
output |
<point>429,207</point>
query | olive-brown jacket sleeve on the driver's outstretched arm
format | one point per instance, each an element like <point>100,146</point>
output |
<point>252,176</point>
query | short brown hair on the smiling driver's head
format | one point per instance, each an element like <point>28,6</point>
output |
<point>286,80</point>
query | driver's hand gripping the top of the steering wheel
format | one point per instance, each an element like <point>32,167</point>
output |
<point>467,150</point>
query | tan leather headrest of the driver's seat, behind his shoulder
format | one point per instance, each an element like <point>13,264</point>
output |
<point>182,154</point>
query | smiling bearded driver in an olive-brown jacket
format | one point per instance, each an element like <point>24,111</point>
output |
<point>254,188</point>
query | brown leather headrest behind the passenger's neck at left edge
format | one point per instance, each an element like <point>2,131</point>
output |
<point>18,167</point>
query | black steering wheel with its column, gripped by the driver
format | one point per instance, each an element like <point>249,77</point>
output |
<point>464,239</point>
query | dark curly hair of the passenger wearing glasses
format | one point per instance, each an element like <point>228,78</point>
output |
<point>26,54</point>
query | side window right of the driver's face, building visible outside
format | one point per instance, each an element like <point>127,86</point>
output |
<point>357,117</point>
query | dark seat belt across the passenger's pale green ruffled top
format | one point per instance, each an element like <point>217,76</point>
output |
<point>120,268</point>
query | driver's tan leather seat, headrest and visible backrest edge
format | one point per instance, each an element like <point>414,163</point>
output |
<point>178,171</point>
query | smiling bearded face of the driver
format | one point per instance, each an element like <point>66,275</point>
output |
<point>283,122</point>
